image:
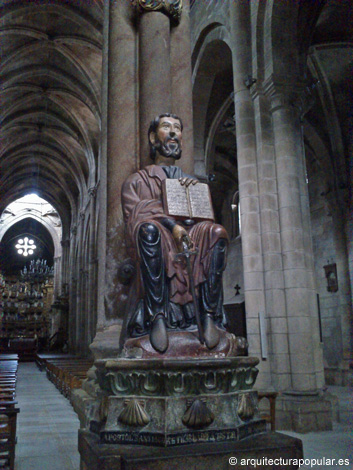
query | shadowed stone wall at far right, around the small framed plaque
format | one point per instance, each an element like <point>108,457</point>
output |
<point>330,247</point>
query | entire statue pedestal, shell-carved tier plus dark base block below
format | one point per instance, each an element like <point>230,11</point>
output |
<point>167,412</point>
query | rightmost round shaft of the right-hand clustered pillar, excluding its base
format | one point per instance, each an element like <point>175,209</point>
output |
<point>297,257</point>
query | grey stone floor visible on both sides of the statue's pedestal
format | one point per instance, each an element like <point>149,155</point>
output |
<point>47,428</point>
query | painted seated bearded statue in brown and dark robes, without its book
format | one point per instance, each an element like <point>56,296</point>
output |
<point>167,295</point>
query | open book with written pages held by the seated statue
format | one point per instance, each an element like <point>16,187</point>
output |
<point>193,202</point>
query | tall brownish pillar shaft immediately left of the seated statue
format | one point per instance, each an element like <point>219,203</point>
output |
<point>118,159</point>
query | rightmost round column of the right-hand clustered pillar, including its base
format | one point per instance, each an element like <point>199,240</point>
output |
<point>302,406</point>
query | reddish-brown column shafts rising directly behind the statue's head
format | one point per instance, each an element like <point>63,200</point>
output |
<point>165,71</point>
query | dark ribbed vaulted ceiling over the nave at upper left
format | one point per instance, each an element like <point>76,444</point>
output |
<point>50,100</point>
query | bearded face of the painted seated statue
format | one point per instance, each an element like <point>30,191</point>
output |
<point>168,138</point>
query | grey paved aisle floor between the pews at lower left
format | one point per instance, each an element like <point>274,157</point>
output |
<point>47,424</point>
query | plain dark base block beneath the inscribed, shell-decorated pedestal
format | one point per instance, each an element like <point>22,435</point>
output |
<point>215,455</point>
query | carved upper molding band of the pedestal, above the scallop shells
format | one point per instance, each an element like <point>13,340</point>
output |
<point>176,378</point>
